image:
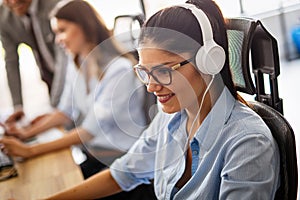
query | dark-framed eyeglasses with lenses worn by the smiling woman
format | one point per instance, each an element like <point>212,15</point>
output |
<point>162,74</point>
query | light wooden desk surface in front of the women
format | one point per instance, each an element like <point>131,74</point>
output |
<point>42,176</point>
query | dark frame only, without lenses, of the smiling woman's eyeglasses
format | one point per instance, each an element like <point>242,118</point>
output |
<point>169,69</point>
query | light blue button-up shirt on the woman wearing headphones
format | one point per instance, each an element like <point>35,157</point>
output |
<point>233,151</point>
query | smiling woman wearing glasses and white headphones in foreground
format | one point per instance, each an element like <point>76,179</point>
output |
<point>206,144</point>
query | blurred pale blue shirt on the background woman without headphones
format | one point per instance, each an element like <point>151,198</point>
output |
<point>113,110</point>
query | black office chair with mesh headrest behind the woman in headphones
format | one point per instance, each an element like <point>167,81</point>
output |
<point>247,37</point>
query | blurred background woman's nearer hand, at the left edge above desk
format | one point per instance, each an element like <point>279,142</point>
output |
<point>14,147</point>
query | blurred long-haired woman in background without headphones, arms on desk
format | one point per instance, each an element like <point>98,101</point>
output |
<point>101,88</point>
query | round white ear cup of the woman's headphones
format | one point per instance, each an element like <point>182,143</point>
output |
<point>210,58</point>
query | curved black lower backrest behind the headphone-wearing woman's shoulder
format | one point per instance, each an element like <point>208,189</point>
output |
<point>284,136</point>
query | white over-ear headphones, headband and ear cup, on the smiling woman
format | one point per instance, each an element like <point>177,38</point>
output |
<point>210,58</point>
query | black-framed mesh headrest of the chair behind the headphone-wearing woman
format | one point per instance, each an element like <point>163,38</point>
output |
<point>250,38</point>
